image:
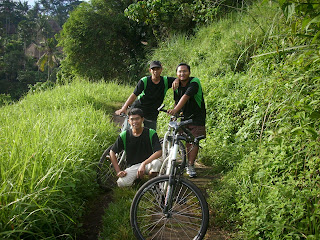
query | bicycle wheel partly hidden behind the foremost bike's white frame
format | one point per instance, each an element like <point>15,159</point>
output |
<point>181,157</point>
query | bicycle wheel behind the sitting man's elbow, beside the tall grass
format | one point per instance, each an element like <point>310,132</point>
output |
<point>106,175</point>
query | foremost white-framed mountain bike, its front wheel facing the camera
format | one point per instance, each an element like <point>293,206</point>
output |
<point>170,206</point>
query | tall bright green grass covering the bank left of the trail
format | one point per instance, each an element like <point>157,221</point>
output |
<point>50,142</point>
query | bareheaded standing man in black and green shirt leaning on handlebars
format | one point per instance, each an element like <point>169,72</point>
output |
<point>189,99</point>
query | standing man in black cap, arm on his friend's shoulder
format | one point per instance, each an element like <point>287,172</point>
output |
<point>149,94</point>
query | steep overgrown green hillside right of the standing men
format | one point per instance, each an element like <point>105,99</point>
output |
<point>261,83</point>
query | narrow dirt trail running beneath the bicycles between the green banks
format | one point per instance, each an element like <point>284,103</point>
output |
<point>92,221</point>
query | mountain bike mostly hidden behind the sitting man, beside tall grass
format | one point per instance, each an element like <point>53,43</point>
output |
<point>106,175</point>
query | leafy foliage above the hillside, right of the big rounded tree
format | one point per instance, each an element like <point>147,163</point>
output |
<point>166,17</point>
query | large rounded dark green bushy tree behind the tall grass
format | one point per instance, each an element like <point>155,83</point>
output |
<point>100,42</point>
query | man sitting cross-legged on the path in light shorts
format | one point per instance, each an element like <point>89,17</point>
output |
<point>142,148</point>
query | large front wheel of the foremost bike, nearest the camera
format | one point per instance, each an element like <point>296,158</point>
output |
<point>188,218</point>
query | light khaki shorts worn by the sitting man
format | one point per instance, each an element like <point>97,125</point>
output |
<point>132,171</point>
